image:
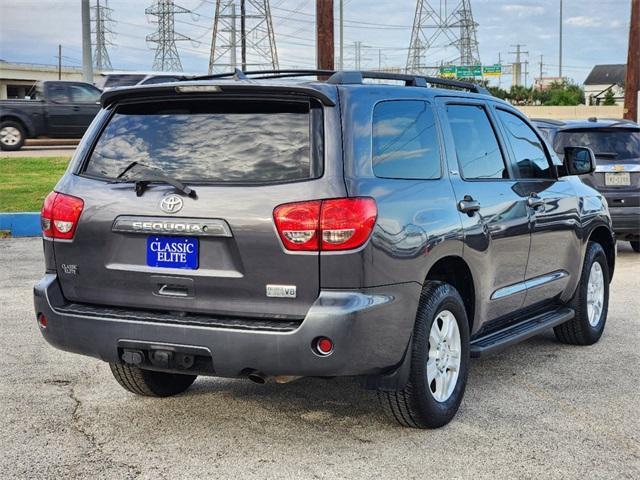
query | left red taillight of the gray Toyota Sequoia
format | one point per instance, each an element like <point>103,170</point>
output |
<point>59,215</point>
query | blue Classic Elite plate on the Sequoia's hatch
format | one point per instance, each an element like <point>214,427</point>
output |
<point>172,252</point>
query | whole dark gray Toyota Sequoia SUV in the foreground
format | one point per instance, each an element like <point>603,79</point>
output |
<point>273,228</point>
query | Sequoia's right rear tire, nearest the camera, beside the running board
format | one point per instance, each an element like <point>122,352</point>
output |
<point>416,405</point>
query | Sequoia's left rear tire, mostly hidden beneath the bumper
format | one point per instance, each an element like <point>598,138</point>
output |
<point>150,383</point>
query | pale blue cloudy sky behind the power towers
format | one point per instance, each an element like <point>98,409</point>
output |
<point>595,32</point>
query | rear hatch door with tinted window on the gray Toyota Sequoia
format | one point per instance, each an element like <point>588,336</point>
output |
<point>154,247</point>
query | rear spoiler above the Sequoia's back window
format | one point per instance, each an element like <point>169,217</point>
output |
<point>210,88</point>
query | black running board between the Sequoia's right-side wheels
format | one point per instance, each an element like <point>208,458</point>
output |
<point>496,341</point>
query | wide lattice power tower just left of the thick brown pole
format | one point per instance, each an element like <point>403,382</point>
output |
<point>256,37</point>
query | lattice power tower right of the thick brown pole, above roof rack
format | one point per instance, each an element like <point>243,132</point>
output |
<point>451,29</point>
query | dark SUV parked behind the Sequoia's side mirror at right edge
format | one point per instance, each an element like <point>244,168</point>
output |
<point>616,145</point>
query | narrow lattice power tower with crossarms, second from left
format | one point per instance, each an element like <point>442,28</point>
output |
<point>166,58</point>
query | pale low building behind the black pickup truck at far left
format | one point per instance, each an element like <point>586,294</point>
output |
<point>17,79</point>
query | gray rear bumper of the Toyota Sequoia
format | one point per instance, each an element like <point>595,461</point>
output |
<point>370,328</point>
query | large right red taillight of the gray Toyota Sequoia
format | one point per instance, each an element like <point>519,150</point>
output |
<point>334,224</point>
